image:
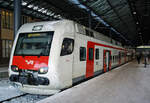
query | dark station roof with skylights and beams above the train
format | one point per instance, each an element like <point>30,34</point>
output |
<point>128,20</point>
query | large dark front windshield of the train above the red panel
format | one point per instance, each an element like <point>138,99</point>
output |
<point>34,44</point>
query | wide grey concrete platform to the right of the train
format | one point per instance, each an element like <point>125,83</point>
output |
<point>129,83</point>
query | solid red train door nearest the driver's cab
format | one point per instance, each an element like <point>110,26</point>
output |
<point>90,60</point>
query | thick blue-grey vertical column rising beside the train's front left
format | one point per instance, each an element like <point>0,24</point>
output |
<point>17,15</point>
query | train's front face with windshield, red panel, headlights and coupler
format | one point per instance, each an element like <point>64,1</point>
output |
<point>29,62</point>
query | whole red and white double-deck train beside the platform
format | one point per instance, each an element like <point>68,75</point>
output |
<point>49,56</point>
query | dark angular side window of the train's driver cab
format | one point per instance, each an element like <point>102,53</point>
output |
<point>67,46</point>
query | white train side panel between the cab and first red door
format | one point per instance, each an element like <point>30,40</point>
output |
<point>79,63</point>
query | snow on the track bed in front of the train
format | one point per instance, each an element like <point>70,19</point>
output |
<point>9,90</point>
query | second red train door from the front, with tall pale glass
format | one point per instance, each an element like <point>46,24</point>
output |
<point>107,60</point>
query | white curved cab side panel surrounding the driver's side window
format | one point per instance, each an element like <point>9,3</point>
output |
<point>65,54</point>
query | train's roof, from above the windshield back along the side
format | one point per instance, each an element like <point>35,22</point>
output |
<point>50,26</point>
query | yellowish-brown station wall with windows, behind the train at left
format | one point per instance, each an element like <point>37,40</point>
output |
<point>7,32</point>
